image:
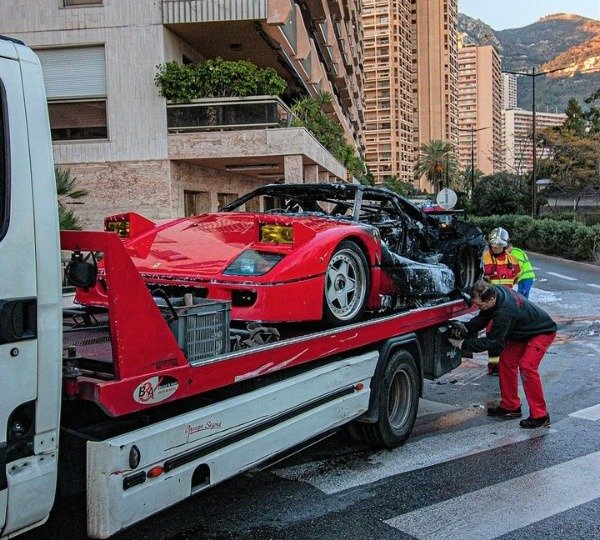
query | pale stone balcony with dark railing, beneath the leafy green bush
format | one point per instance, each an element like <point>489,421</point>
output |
<point>251,136</point>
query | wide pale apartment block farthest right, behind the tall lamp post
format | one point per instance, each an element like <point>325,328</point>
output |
<point>518,133</point>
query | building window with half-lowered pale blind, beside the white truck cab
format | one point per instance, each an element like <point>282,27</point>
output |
<point>75,81</point>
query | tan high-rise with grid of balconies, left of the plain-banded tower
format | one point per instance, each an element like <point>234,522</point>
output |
<point>388,88</point>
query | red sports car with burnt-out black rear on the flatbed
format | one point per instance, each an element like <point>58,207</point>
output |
<point>302,252</point>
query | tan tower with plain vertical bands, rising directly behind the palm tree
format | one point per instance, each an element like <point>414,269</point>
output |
<point>435,70</point>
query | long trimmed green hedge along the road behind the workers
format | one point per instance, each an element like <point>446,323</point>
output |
<point>567,239</point>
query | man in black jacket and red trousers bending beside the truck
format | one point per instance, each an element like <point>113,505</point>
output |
<point>520,333</point>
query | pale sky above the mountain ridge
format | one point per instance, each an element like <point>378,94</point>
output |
<point>503,14</point>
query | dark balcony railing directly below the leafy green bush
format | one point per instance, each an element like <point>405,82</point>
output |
<point>216,114</point>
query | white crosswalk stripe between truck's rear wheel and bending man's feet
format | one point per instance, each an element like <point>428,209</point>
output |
<point>413,455</point>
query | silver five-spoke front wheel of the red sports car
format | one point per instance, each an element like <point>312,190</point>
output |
<point>346,284</point>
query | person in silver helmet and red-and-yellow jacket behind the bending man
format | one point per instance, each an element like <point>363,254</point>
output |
<point>499,268</point>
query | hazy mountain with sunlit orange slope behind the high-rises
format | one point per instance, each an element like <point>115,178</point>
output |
<point>565,41</point>
